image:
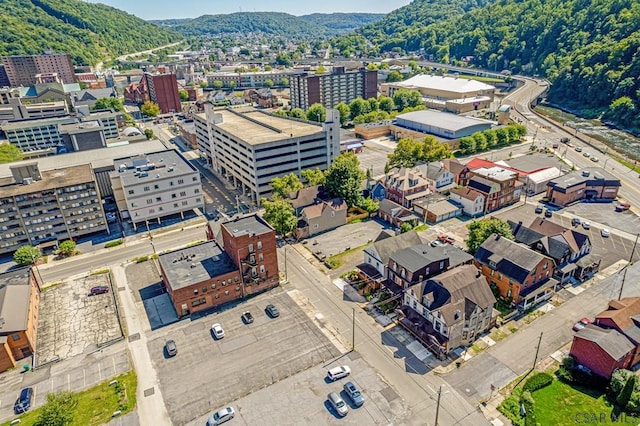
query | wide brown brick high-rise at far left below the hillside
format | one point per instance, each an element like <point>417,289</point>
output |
<point>22,69</point>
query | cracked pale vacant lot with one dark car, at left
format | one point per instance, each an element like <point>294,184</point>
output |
<point>72,321</point>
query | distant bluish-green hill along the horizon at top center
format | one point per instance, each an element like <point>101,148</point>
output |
<point>271,23</point>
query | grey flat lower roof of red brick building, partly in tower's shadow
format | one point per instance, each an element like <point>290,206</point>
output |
<point>195,264</point>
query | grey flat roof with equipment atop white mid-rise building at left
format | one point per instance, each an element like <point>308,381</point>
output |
<point>149,167</point>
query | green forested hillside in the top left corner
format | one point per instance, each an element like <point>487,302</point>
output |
<point>89,32</point>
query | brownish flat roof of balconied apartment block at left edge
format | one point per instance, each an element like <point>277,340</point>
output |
<point>56,178</point>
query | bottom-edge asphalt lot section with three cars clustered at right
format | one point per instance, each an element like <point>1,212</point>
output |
<point>302,400</point>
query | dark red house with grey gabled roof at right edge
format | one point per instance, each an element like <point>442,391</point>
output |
<point>612,341</point>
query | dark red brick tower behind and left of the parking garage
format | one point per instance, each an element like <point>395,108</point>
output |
<point>159,88</point>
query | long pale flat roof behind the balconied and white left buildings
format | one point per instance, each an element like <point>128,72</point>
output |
<point>98,158</point>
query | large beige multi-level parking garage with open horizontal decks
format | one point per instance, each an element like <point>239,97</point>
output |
<point>250,147</point>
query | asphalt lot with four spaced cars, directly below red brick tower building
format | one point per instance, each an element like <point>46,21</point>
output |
<point>208,373</point>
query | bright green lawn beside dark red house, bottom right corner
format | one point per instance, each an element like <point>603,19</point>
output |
<point>559,403</point>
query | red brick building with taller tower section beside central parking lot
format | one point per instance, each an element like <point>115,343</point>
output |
<point>241,262</point>
